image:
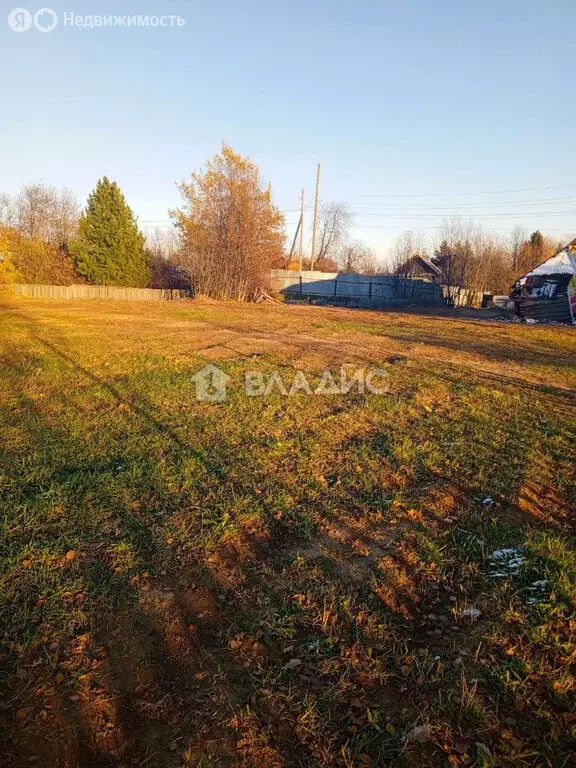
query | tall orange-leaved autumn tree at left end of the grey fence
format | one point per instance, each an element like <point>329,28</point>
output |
<point>232,233</point>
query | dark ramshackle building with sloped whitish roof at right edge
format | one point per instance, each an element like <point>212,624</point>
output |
<point>548,292</point>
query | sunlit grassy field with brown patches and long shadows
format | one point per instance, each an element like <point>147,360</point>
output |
<point>284,581</point>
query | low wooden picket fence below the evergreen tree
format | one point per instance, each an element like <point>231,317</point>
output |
<point>97,292</point>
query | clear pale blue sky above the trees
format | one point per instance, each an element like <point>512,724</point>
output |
<point>393,98</point>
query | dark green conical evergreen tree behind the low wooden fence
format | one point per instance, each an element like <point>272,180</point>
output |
<point>109,248</point>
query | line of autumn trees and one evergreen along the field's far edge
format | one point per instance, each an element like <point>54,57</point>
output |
<point>228,233</point>
